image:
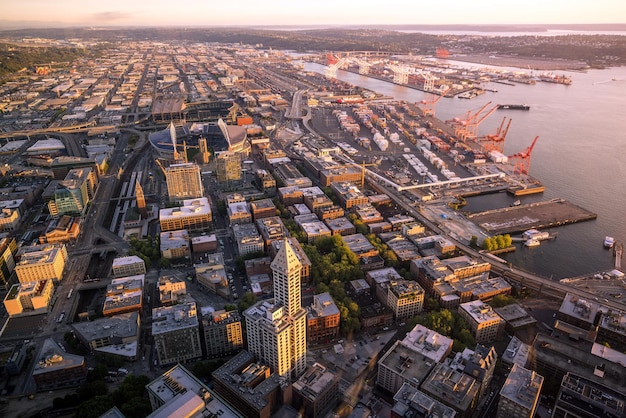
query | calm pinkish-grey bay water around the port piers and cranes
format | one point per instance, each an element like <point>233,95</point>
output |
<point>581,133</point>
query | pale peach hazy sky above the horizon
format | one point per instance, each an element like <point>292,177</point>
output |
<point>310,12</point>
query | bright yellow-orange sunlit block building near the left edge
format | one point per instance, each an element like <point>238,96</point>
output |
<point>41,262</point>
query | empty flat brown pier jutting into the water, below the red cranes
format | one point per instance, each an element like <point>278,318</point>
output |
<point>539,215</point>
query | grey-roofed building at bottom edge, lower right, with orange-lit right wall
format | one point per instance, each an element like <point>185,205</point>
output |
<point>519,394</point>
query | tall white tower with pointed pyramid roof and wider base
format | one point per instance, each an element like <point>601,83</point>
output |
<point>277,329</point>
